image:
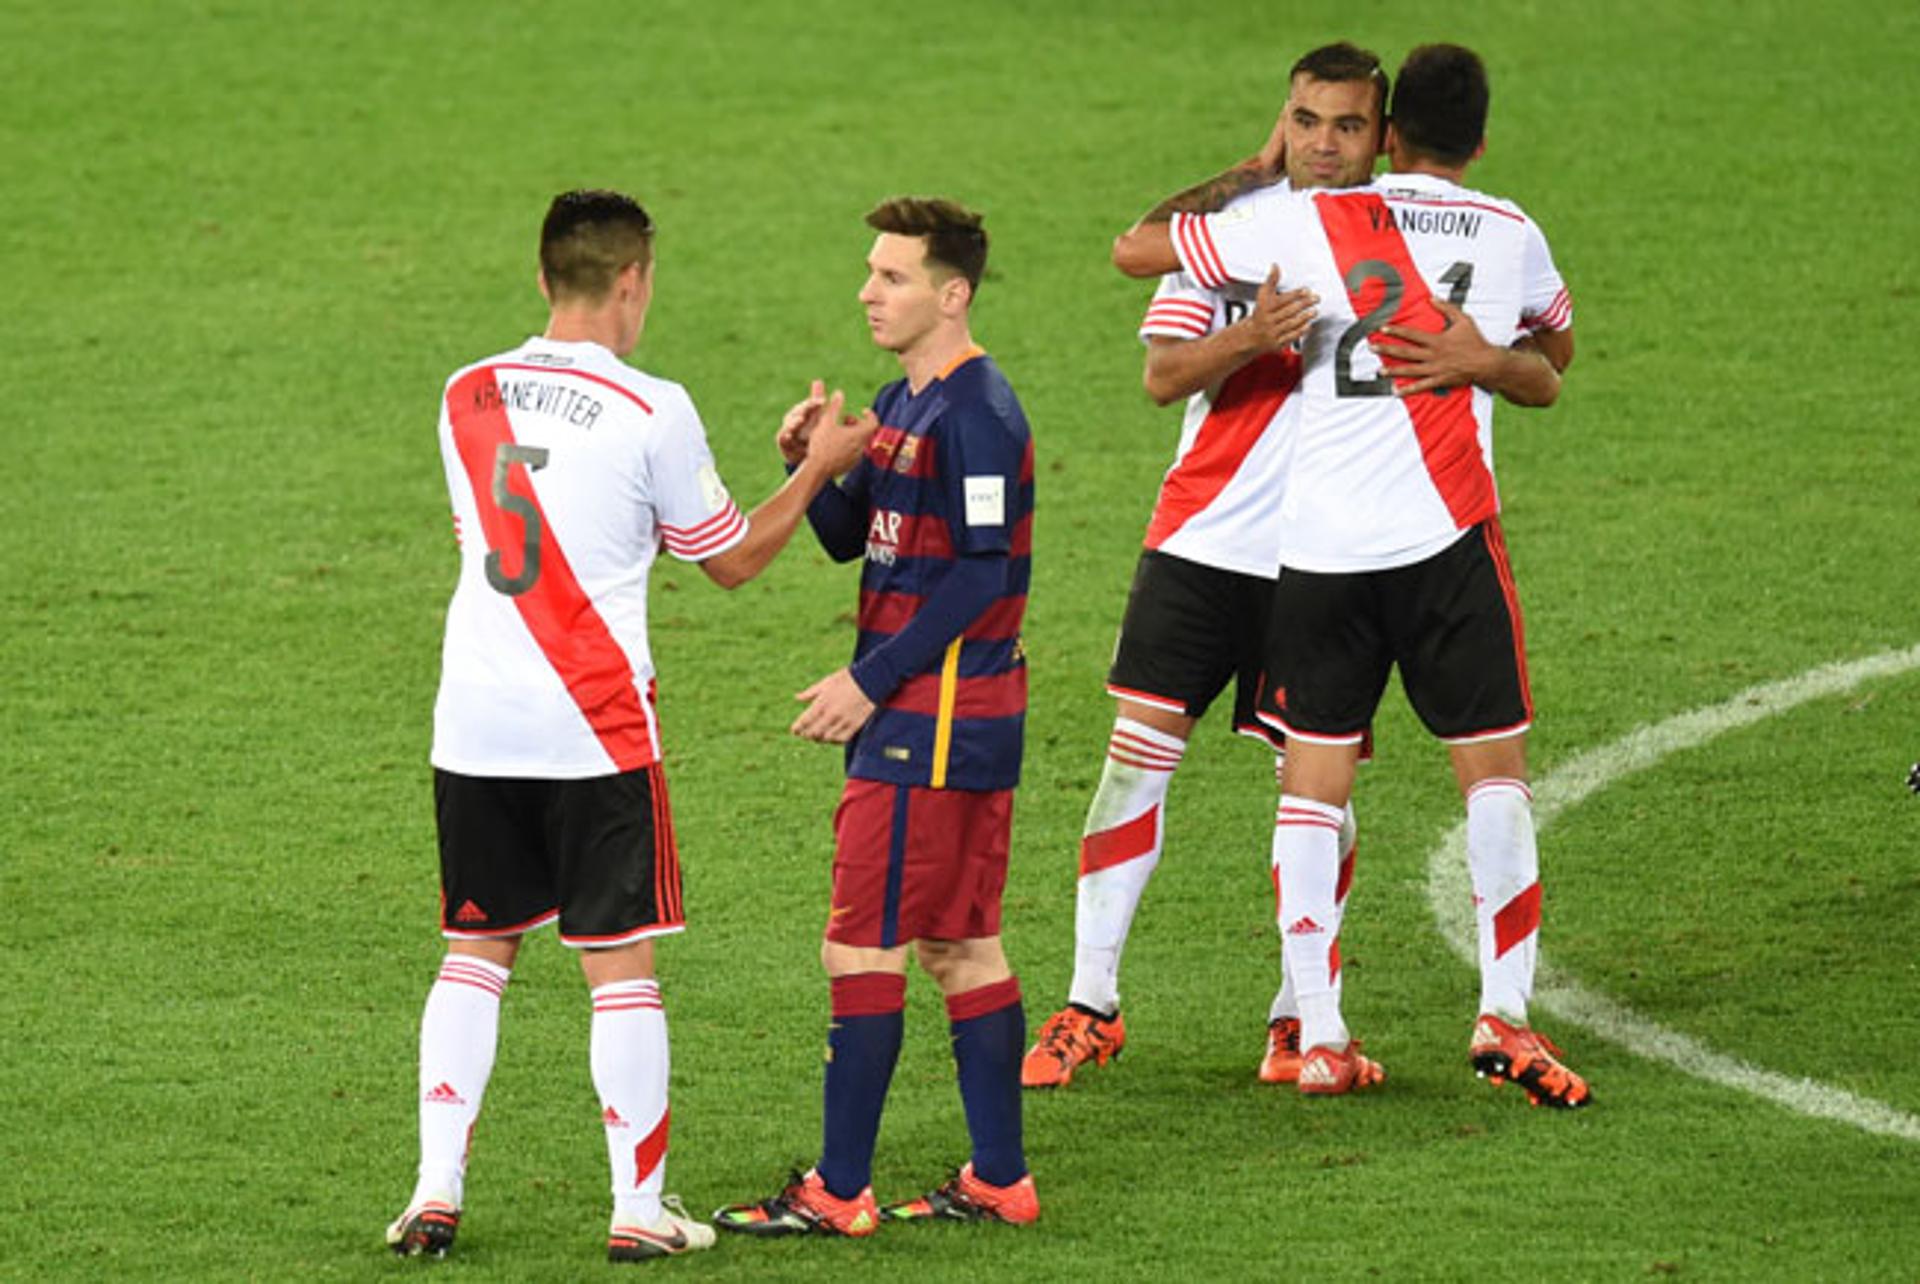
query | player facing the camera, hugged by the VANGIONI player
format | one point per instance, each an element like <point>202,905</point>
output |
<point>1203,588</point>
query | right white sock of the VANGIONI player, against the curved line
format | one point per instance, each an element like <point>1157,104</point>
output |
<point>1506,893</point>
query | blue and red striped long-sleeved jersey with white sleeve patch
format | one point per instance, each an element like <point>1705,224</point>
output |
<point>946,481</point>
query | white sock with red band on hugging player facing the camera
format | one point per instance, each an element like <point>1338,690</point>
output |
<point>1120,849</point>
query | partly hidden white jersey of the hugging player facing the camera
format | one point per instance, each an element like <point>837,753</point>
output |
<point>1220,500</point>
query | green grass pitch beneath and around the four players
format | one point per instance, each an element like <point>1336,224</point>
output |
<point>245,247</point>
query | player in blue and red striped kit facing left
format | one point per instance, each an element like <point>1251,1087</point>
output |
<point>932,713</point>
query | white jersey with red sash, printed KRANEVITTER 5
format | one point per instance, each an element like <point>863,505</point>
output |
<point>567,471</point>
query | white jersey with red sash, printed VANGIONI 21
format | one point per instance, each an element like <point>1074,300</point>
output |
<point>1378,481</point>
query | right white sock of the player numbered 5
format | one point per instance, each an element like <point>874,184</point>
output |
<point>631,1066</point>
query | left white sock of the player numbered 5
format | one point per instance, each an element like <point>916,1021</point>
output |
<point>460,1032</point>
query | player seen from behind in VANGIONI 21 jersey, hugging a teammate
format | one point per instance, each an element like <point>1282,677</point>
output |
<point>1391,544</point>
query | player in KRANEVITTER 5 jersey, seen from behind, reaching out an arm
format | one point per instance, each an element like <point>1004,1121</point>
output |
<point>569,471</point>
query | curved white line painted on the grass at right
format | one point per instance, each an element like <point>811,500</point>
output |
<point>1451,895</point>
